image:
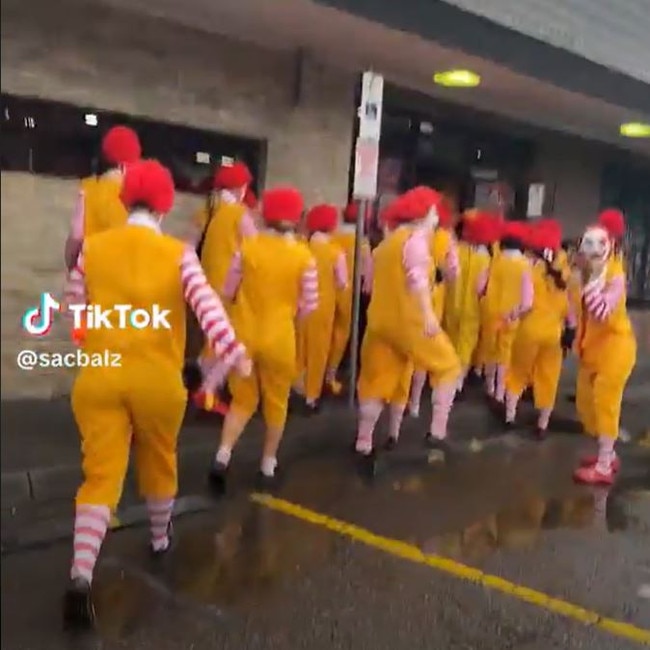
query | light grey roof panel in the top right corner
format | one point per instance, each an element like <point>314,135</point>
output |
<point>613,34</point>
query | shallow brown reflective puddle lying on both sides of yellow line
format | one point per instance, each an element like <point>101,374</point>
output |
<point>239,556</point>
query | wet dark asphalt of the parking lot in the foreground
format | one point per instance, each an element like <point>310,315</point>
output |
<point>243,576</point>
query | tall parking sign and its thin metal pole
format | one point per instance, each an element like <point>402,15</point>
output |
<point>366,167</point>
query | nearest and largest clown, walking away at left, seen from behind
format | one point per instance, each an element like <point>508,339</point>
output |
<point>131,392</point>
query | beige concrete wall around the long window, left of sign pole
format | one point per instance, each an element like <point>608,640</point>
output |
<point>120,62</point>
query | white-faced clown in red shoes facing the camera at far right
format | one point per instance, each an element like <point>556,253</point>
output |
<point>606,349</point>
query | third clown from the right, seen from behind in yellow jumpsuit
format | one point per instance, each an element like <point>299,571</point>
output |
<point>508,296</point>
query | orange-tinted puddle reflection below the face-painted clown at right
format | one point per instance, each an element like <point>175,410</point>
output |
<point>520,526</point>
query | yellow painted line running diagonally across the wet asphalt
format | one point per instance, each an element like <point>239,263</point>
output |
<point>412,553</point>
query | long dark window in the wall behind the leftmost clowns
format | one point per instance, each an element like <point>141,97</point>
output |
<point>56,139</point>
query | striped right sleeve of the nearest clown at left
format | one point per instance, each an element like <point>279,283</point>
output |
<point>209,310</point>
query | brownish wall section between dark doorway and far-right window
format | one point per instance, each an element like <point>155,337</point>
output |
<point>573,171</point>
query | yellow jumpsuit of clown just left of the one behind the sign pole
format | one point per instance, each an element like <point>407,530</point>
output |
<point>315,330</point>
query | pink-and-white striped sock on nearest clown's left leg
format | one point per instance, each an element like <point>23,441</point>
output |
<point>90,526</point>
